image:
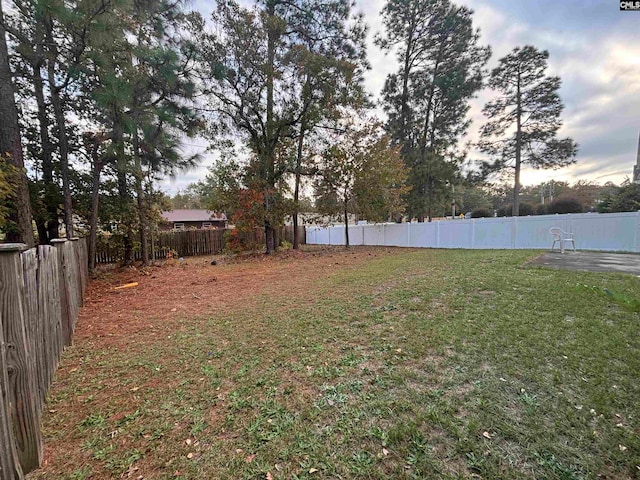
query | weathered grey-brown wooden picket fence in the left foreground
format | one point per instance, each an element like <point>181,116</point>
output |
<point>41,291</point>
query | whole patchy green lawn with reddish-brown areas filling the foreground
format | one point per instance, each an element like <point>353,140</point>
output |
<point>373,363</point>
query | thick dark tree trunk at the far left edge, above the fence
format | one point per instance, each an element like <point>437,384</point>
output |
<point>20,219</point>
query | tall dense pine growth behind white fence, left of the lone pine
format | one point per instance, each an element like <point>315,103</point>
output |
<point>427,100</point>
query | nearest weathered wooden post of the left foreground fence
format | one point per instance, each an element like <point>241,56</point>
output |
<point>21,393</point>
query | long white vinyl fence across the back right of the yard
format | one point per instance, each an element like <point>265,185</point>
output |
<point>615,232</point>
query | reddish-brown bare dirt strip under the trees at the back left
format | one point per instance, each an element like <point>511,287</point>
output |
<point>194,287</point>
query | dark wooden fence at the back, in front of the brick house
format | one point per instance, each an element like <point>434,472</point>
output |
<point>187,243</point>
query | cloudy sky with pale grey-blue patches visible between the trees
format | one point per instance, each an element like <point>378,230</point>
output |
<point>594,48</point>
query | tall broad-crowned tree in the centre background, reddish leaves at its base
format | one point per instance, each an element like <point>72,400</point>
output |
<point>269,78</point>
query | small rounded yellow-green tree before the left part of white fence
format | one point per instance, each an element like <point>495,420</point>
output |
<point>361,173</point>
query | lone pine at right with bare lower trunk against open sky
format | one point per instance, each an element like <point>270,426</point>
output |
<point>529,105</point>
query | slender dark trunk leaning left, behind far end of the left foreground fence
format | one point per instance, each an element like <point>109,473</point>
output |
<point>58,113</point>
